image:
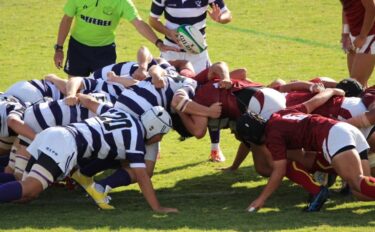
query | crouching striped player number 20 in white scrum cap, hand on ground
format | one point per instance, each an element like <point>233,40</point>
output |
<point>114,135</point>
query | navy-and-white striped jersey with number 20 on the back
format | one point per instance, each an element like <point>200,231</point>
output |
<point>112,135</point>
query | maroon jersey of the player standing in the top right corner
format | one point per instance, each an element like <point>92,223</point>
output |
<point>354,14</point>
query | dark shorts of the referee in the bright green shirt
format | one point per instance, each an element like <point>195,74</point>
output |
<point>82,60</point>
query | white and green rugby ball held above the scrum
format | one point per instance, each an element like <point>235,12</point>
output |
<point>191,39</point>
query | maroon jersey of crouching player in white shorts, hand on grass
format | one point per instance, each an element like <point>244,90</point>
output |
<point>293,129</point>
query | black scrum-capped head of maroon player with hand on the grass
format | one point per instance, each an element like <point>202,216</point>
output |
<point>250,128</point>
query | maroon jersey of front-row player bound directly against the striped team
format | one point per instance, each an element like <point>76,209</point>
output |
<point>208,92</point>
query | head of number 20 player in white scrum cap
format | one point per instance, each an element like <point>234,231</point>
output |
<point>156,121</point>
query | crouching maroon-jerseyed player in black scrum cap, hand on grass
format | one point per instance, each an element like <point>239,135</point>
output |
<point>341,144</point>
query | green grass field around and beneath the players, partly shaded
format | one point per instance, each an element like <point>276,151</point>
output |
<point>290,39</point>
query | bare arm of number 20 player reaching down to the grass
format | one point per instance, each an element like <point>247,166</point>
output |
<point>148,191</point>
